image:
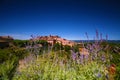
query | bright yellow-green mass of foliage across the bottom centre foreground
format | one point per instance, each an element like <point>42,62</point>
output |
<point>56,68</point>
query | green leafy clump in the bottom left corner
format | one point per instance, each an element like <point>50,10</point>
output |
<point>7,69</point>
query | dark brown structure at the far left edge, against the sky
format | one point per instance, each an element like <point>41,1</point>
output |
<point>5,41</point>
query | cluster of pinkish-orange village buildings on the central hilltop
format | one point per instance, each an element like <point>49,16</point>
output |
<point>54,39</point>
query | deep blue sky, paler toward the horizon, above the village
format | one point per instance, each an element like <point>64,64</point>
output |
<point>70,19</point>
